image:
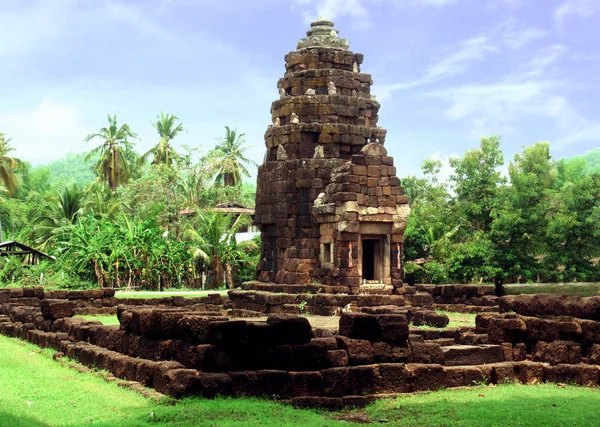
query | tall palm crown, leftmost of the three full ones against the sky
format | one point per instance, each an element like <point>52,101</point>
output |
<point>113,166</point>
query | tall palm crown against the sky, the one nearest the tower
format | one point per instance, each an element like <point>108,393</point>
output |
<point>227,160</point>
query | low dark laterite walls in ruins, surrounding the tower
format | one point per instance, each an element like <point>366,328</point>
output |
<point>372,353</point>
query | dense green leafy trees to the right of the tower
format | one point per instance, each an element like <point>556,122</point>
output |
<point>541,225</point>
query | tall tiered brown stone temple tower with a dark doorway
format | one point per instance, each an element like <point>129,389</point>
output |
<point>329,205</point>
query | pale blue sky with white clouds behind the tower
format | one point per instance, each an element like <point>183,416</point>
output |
<point>446,72</point>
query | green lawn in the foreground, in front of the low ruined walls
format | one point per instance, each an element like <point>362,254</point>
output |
<point>36,391</point>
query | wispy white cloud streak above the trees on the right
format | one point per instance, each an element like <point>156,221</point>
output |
<point>531,91</point>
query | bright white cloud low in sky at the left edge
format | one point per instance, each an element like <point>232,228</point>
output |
<point>47,132</point>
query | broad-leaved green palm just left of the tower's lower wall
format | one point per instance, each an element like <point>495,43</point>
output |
<point>214,244</point>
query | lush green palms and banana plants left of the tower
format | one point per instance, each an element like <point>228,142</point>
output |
<point>105,233</point>
